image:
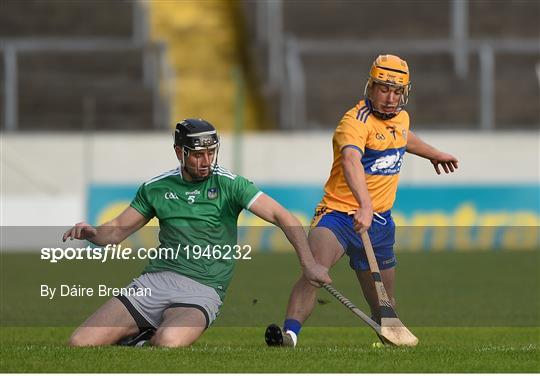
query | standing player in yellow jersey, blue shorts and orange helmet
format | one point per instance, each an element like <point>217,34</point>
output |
<point>369,144</point>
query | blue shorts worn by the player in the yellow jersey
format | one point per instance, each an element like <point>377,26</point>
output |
<point>382,234</point>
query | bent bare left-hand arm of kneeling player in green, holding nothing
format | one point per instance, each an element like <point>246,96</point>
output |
<point>112,232</point>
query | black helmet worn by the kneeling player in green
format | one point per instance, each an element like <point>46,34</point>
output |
<point>195,134</point>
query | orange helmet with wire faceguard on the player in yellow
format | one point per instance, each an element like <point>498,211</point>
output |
<point>392,71</point>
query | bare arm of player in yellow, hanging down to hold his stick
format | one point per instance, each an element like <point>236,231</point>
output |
<point>356,180</point>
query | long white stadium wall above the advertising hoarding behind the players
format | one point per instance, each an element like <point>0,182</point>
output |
<point>44,176</point>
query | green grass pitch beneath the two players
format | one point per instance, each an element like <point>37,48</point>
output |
<point>473,312</point>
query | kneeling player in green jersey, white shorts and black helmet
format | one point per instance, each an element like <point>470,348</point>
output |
<point>197,206</point>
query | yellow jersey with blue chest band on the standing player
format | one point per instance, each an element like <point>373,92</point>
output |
<point>382,144</point>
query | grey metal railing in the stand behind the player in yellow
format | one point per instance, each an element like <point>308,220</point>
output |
<point>286,71</point>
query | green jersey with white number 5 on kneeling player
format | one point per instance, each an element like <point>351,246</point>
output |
<point>197,223</point>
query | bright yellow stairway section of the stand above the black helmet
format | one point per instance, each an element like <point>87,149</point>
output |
<point>207,52</point>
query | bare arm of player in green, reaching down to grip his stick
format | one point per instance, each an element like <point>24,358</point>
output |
<point>271,211</point>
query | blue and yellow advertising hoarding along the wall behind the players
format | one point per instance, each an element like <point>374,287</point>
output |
<point>429,218</point>
